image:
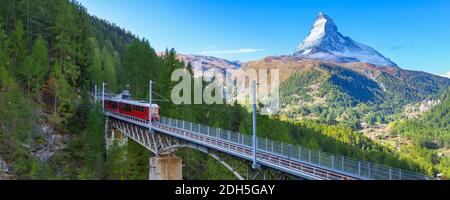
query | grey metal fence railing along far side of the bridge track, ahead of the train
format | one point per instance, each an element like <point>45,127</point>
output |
<point>336,163</point>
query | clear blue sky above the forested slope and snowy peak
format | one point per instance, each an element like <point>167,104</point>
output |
<point>414,34</point>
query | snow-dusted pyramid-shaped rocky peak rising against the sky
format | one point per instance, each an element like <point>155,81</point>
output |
<point>324,42</point>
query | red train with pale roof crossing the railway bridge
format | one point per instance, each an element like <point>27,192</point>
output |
<point>126,106</point>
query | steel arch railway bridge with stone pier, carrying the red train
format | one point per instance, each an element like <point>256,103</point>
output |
<point>247,157</point>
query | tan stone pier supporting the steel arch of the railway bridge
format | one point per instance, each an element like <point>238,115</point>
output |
<point>165,167</point>
